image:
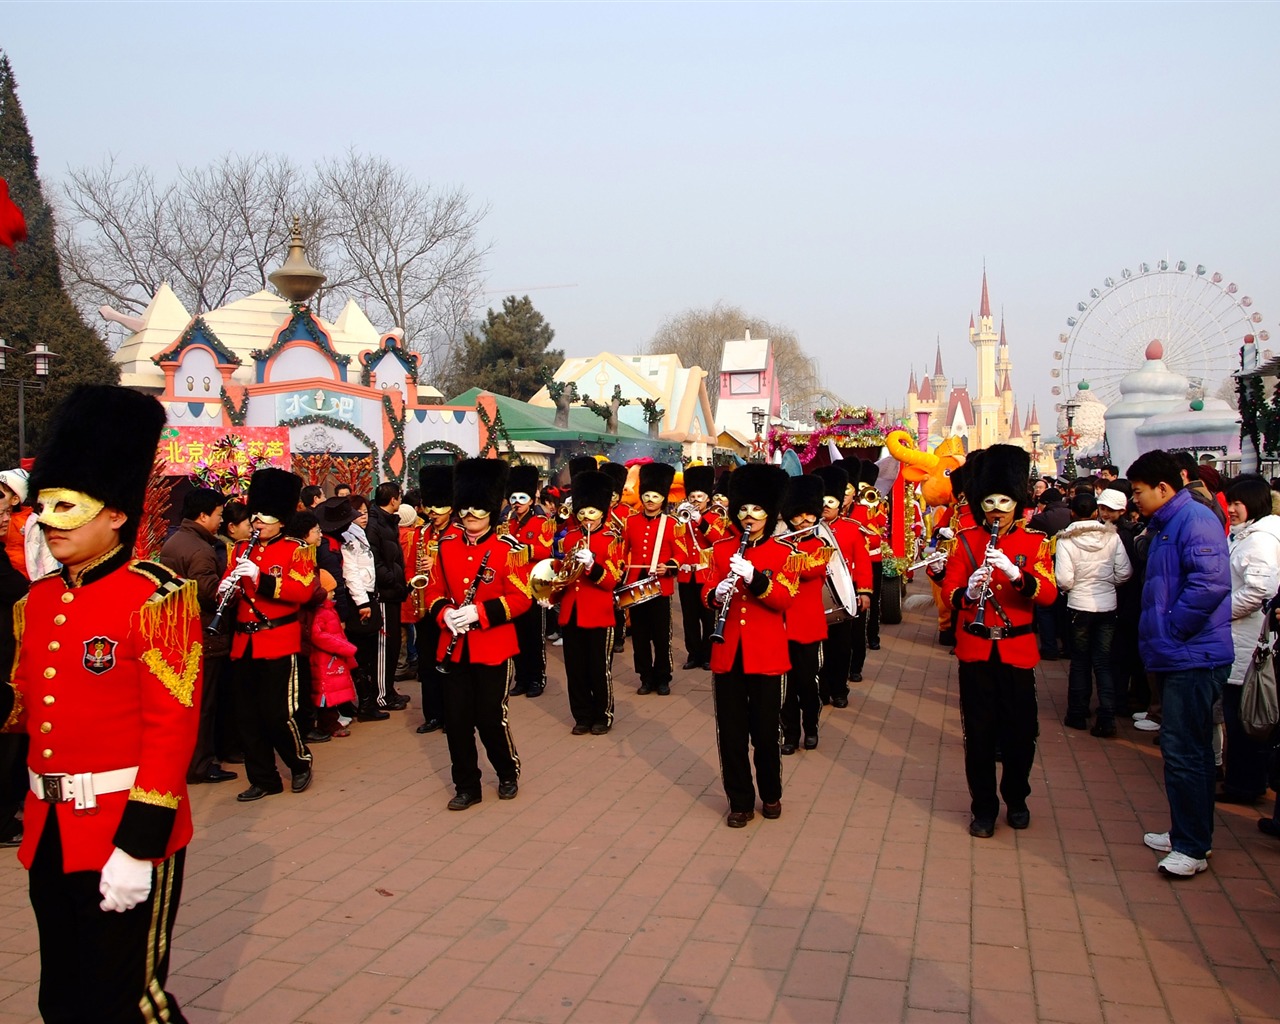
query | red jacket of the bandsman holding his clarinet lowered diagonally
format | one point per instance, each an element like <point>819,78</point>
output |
<point>504,593</point>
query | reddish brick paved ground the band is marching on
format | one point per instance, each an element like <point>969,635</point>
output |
<point>612,892</point>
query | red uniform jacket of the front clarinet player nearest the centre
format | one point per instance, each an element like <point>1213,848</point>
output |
<point>756,621</point>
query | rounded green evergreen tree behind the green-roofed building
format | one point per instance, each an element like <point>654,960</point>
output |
<point>509,356</point>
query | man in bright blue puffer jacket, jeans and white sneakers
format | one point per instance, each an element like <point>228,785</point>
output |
<point>1185,636</point>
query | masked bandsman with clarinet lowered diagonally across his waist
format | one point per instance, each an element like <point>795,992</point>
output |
<point>479,586</point>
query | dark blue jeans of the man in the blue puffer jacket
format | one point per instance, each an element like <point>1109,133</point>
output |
<point>1187,743</point>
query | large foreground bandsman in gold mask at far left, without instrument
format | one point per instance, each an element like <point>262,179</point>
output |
<point>107,684</point>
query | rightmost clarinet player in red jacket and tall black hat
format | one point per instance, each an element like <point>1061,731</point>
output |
<point>998,574</point>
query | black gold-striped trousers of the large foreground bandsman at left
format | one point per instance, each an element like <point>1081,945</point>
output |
<point>99,967</point>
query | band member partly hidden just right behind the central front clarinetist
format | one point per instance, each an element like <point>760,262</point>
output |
<point>807,618</point>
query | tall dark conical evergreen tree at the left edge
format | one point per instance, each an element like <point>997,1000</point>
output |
<point>34,307</point>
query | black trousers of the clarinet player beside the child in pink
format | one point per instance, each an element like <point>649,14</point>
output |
<point>267,696</point>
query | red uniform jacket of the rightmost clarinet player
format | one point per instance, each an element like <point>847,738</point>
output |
<point>1031,554</point>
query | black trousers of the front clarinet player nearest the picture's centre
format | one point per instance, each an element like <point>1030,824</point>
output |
<point>747,712</point>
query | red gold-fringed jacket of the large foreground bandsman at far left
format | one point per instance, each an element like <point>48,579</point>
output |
<point>108,676</point>
